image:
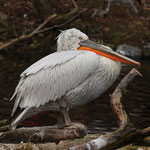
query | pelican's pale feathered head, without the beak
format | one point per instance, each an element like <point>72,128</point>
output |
<point>70,39</point>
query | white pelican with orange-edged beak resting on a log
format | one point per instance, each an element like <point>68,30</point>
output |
<point>77,73</point>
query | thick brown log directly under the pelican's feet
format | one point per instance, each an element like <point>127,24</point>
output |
<point>44,134</point>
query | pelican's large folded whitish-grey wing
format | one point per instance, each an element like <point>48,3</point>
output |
<point>51,77</point>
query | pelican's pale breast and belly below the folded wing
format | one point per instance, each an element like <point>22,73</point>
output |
<point>103,77</point>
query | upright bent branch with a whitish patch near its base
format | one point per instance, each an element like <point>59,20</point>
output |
<point>125,127</point>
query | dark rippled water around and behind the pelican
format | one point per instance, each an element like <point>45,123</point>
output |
<point>97,115</point>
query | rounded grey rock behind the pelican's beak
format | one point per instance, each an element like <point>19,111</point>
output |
<point>130,51</point>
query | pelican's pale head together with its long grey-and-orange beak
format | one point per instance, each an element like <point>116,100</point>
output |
<point>74,39</point>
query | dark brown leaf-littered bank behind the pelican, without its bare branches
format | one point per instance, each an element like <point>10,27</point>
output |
<point>120,25</point>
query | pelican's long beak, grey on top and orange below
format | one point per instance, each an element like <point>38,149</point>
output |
<point>106,52</point>
